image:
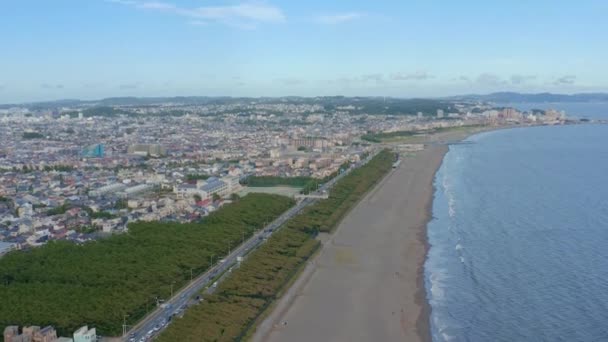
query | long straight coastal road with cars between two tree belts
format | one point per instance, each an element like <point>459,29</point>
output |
<point>156,321</point>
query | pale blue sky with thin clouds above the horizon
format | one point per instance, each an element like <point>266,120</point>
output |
<point>91,49</point>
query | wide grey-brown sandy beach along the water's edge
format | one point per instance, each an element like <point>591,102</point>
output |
<point>367,282</point>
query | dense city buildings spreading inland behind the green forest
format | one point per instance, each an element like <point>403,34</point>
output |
<point>78,172</point>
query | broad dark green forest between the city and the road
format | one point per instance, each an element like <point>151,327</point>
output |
<point>97,283</point>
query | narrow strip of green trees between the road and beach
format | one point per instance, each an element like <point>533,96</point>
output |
<point>230,313</point>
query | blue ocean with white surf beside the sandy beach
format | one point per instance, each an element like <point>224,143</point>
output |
<point>519,236</point>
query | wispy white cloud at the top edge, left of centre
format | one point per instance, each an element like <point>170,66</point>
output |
<point>243,15</point>
